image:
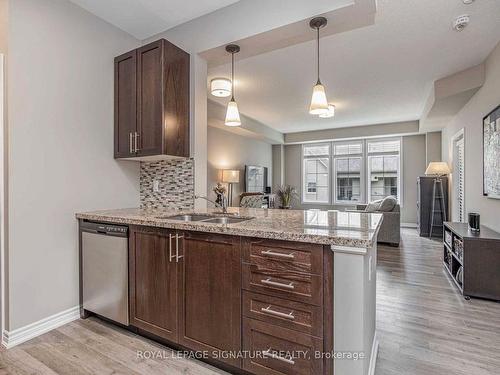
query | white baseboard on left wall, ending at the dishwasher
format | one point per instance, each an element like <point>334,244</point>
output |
<point>20,335</point>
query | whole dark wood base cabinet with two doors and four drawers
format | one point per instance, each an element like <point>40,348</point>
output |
<point>200,292</point>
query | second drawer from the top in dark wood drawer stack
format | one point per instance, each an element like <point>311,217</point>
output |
<point>301,287</point>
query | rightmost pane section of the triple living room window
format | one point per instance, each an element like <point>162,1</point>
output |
<point>383,169</point>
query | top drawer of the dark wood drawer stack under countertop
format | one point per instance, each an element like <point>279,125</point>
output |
<point>284,255</point>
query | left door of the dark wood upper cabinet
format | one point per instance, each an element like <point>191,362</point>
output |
<point>125,104</point>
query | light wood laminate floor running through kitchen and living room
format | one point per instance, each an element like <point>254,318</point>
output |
<point>424,326</point>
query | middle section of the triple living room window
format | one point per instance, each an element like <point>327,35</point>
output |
<point>348,160</point>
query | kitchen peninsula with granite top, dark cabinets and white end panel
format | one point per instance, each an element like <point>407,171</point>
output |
<point>263,292</point>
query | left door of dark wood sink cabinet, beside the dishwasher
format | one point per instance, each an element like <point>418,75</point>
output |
<point>153,283</point>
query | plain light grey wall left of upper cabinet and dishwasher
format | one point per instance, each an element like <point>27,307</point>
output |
<point>60,103</point>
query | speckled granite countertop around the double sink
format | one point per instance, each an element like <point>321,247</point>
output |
<point>312,226</point>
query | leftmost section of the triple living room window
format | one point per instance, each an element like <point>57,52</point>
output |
<point>316,173</point>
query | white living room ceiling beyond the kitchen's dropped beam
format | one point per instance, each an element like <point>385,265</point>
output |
<point>375,74</point>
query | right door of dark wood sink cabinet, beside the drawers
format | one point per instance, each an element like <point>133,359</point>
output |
<point>210,303</point>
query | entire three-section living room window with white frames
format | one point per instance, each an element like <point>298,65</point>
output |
<point>362,171</point>
